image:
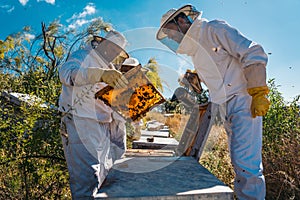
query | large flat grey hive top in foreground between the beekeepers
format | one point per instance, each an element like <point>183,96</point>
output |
<point>162,178</point>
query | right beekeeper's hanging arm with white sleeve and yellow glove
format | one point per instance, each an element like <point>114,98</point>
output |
<point>253,59</point>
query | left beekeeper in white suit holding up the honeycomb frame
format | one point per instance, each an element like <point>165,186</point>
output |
<point>93,134</point>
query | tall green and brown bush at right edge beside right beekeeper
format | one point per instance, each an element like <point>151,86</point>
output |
<point>281,146</point>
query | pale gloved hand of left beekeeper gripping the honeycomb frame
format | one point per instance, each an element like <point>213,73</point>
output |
<point>112,77</point>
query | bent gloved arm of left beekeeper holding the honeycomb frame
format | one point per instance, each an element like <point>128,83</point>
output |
<point>72,74</point>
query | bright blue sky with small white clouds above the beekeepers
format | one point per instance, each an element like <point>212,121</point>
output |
<point>272,23</point>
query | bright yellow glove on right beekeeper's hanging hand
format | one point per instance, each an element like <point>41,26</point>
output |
<point>260,104</point>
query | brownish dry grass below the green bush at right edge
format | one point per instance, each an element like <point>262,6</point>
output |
<point>282,168</point>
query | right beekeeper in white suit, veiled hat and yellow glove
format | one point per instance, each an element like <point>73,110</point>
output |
<point>233,69</point>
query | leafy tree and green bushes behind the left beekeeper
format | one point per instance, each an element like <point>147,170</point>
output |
<point>31,155</point>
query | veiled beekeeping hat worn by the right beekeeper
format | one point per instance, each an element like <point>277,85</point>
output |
<point>190,11</point>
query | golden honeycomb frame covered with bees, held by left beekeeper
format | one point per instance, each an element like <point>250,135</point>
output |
<point>134,101</point>
